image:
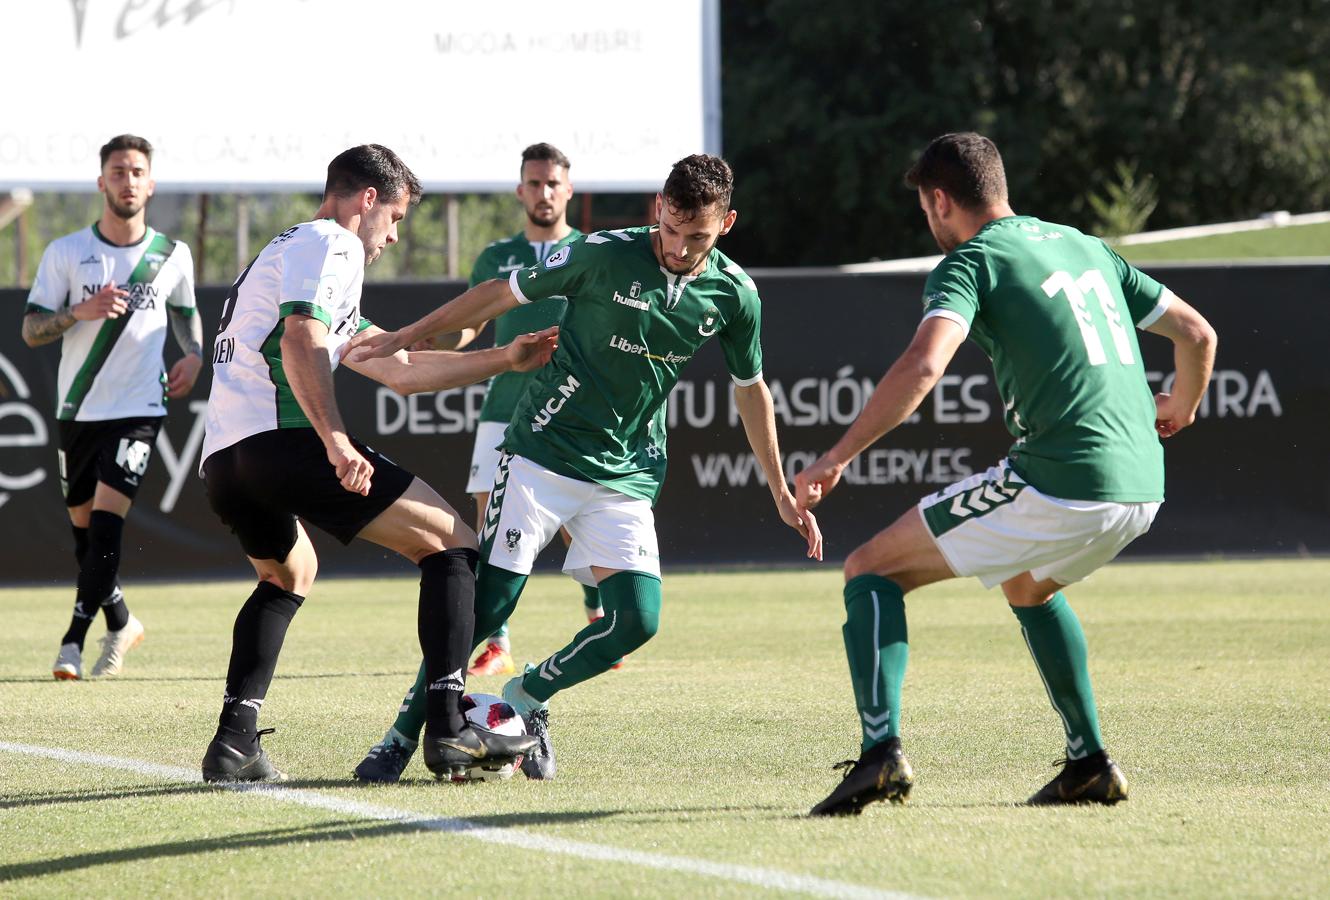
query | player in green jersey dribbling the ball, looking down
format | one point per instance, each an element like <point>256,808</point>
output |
<point>587,446</point>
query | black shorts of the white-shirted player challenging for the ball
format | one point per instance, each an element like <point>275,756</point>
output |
<point>260,487</point>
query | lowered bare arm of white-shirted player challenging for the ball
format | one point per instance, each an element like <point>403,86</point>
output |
<point>305,360</point>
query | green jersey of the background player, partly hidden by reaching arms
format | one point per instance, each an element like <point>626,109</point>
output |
<point>498,261</point>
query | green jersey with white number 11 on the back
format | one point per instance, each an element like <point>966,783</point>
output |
<point>1054,310</point>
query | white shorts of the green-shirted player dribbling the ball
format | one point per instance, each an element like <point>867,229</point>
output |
<point>530,505</point>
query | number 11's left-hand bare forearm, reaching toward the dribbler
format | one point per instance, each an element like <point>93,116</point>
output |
<point>897,397</point>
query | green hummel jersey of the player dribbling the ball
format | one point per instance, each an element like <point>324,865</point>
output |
<point>598,410</point>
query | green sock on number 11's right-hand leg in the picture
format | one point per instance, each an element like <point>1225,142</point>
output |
<point>1058,644</point>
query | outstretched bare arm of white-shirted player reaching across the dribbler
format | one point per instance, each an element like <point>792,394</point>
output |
<point>434,370</point>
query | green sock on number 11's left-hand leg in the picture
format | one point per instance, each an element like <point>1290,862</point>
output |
<point>877,645</point>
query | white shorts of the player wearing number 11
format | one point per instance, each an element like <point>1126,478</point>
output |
<point>994,526</point>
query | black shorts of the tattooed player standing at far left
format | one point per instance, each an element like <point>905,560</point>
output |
<point>114,451</point>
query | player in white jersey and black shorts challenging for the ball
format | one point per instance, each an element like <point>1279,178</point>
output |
<point>276,453</point>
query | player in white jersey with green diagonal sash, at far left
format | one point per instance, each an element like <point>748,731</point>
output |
<point>108,293</point>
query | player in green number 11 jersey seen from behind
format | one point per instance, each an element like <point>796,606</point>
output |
<point>1055,312</point>
